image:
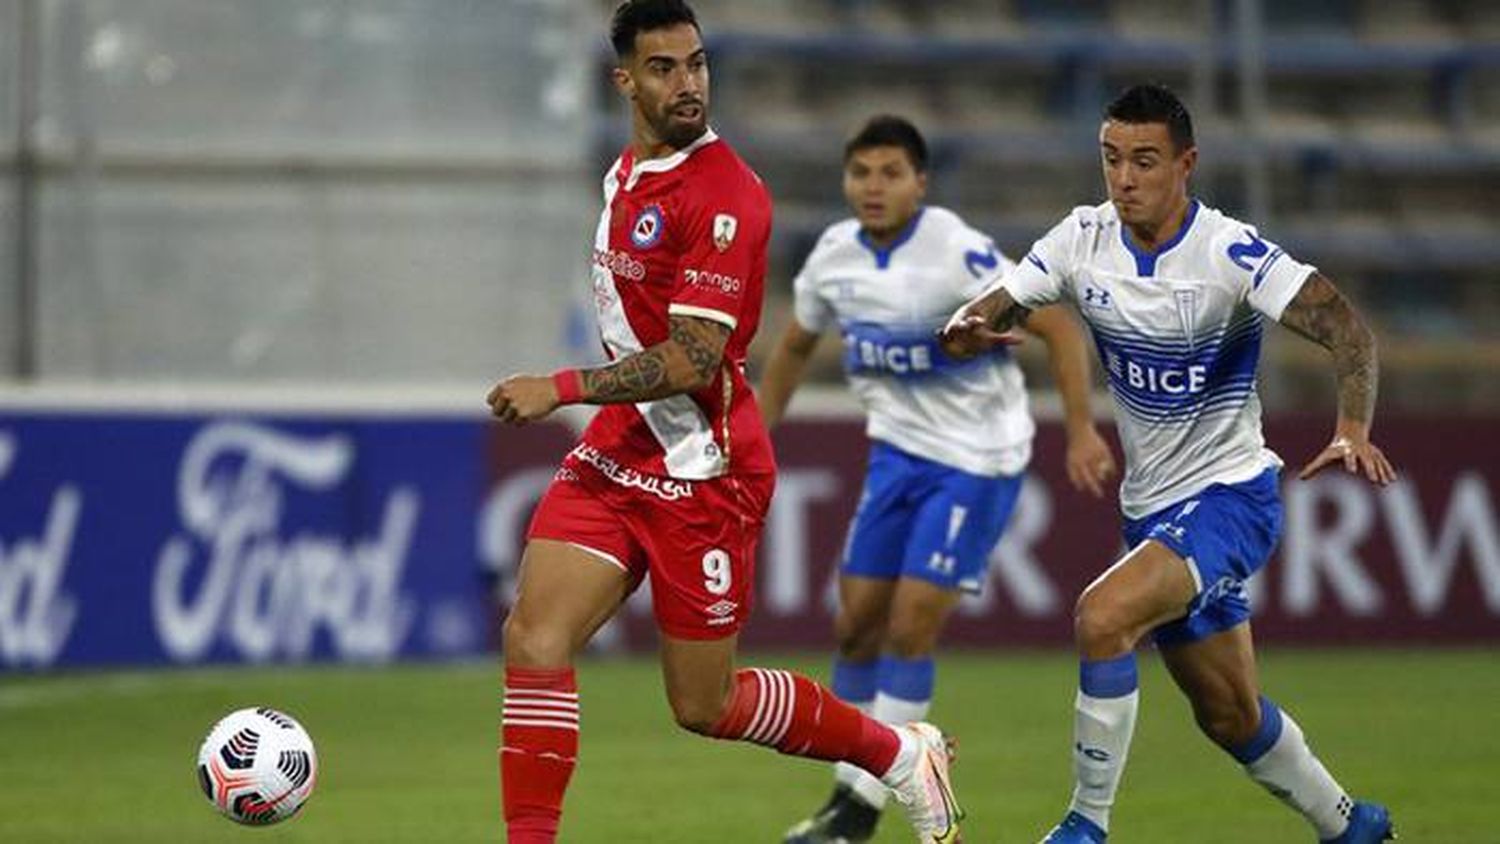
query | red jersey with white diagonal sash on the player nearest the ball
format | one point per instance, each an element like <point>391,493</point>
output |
<point>683,235</point>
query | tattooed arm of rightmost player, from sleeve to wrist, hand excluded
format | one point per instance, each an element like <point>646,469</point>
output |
<point>1324,316</point>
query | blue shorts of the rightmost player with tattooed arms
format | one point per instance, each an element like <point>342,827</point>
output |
<point>1226,533</point>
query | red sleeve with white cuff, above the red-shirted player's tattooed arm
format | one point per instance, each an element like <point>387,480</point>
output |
<point>724,247</point>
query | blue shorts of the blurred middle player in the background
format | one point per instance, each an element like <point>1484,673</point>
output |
<point>923,519</point>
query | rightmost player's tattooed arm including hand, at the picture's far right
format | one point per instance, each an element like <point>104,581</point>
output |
<point>1321,314</point>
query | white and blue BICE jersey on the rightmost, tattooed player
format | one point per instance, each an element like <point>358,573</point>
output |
<point>1178,334</point>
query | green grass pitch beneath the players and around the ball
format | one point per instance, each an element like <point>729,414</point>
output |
<point>409,755</point>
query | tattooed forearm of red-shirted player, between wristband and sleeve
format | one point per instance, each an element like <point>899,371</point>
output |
<point>686,362</point>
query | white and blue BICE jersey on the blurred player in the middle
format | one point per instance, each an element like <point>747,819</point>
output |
<point>889,305</point>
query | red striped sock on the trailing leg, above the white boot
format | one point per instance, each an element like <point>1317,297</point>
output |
<point>799,717</point>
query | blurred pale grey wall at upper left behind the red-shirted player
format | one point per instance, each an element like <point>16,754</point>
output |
<point>293,190</point>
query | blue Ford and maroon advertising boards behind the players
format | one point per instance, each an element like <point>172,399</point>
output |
<point>166,537</point>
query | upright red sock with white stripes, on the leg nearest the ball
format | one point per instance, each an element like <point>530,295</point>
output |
<point>539,747</point>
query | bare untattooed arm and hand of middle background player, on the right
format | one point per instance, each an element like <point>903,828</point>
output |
<point>1090,461</point>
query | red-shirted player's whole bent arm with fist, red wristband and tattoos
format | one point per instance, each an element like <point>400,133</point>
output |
<point>686,362</point>
